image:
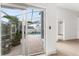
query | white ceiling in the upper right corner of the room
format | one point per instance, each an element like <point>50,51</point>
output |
<point>72,6</point>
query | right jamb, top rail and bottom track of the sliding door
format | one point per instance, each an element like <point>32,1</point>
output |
<point>44,25</point>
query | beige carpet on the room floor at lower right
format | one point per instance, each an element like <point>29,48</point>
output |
<point>68,48</point>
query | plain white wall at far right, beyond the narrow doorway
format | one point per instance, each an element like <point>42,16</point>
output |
<point>71,22</point>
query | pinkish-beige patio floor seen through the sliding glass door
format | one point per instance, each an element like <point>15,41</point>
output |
<point>35,46</point>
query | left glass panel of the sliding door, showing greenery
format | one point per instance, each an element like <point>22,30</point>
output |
<point>11,33</point>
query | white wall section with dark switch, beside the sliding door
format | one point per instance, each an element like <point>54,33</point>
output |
<point>51,35</point>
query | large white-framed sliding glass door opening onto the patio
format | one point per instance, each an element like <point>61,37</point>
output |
<point>21,30</point>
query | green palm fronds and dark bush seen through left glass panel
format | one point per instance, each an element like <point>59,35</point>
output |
<point>14,20</point>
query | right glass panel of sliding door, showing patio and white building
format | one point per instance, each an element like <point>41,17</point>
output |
<point>34,32</point>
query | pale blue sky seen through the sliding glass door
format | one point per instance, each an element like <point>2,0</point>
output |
<point>15,12</point>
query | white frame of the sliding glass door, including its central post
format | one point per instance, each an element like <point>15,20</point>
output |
<point>25,41</point>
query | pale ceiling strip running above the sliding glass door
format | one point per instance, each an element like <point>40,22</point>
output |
<point>21,6</point>
